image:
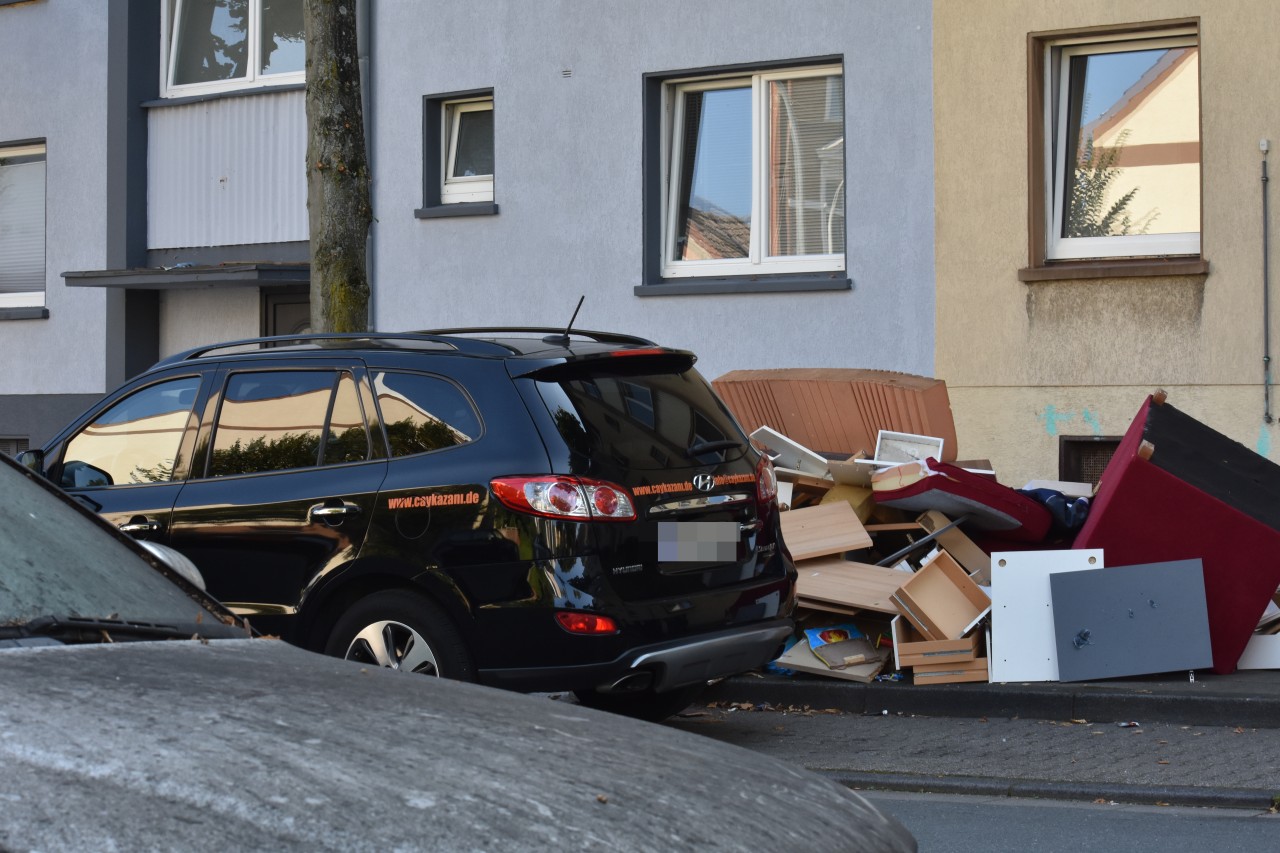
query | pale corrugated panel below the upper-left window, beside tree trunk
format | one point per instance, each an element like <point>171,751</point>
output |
<point>227,172</point>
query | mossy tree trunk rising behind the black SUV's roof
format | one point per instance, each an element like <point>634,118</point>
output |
<point>339,206</point>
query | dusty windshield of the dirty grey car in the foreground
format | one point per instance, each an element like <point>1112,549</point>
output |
<point>57,562</point>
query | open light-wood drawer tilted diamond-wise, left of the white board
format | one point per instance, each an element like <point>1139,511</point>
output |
<point>941,601</point>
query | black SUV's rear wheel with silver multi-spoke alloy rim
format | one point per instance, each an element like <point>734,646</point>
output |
<point>401,631</point>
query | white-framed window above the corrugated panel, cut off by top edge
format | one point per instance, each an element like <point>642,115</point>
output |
<point>228,45</point>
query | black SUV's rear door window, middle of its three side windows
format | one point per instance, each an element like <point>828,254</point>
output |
<point>277,421</point>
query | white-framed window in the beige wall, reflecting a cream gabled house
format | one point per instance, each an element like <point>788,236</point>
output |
<point>1123,147</point>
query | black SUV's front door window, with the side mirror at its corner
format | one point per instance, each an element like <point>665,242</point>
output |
<point>134,443</point>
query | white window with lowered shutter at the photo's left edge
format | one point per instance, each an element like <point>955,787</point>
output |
<point>22,226</point>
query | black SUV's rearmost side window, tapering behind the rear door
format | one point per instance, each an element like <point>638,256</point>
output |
<point>424,413</point>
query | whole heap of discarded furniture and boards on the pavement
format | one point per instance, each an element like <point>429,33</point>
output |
<point>920,567</point>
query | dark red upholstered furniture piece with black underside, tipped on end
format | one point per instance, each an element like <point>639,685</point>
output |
<point>1199,495</point>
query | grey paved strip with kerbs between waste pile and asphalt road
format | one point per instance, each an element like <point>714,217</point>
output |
<point>1210,742</point>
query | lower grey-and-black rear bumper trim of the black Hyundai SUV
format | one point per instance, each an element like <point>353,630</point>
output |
<point>664,667</point>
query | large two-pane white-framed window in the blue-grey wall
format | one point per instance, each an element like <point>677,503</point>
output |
<point>755,175</point>
